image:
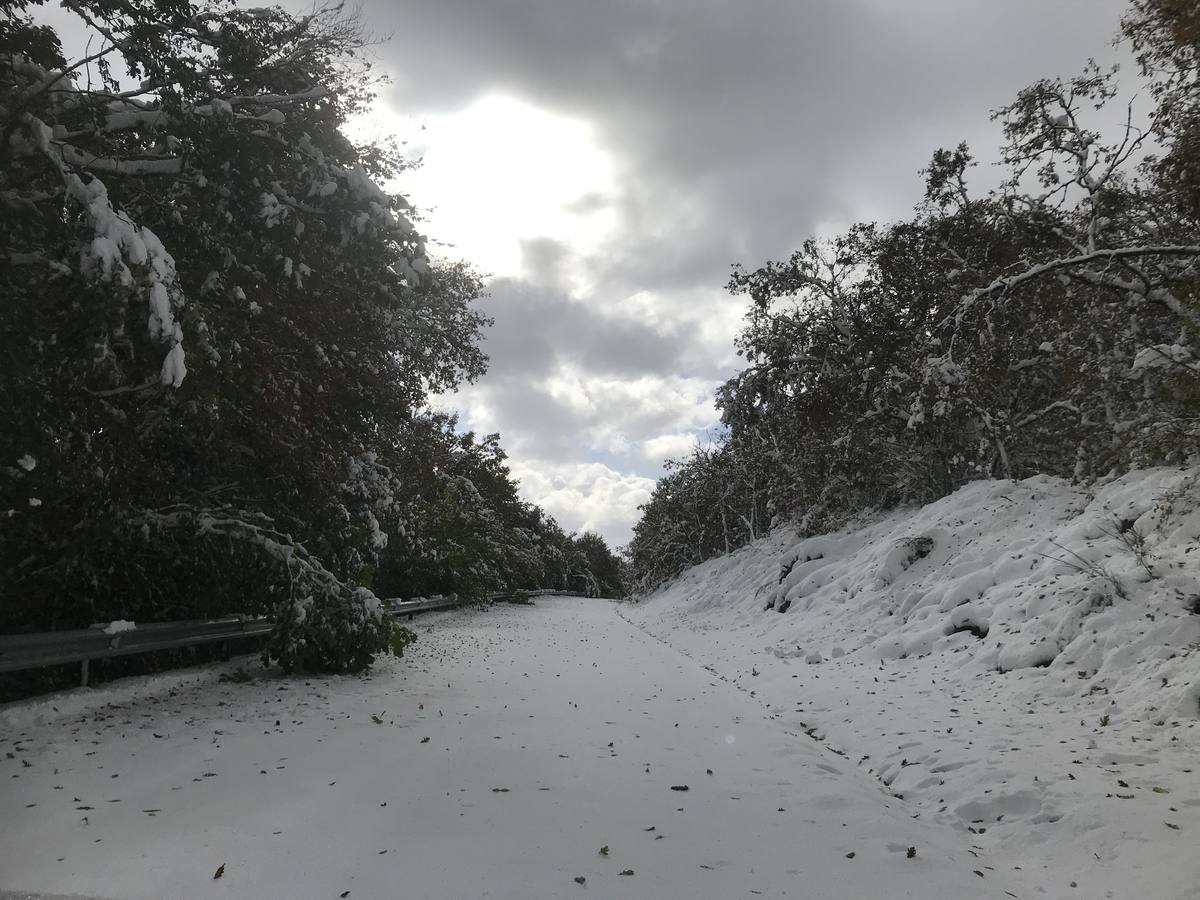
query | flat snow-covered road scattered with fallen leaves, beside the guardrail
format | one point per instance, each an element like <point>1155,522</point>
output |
<point>519,753</point>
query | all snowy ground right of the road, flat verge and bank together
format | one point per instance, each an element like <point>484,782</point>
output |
<point>1021,662</point>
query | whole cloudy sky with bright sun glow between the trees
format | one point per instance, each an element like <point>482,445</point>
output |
<point>608,161</point>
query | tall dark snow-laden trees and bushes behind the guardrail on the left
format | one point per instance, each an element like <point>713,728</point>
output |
<point>220,333</point>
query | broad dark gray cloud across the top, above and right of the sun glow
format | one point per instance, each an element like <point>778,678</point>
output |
<point>740,127</point>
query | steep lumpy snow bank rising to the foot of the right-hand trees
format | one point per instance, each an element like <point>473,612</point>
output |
<point>1100,589</point>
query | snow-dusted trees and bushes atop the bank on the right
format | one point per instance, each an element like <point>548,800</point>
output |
<point>1048,327</point>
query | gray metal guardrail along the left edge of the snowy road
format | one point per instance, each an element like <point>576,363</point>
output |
<point>55,649</point>
